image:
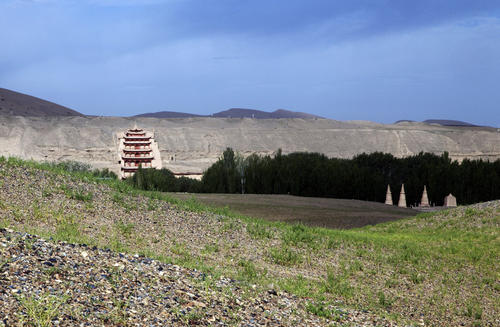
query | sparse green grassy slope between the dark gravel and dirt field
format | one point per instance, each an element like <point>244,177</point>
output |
<point>441,268</point>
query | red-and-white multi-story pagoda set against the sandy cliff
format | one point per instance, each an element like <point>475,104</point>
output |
<point>137,148</point>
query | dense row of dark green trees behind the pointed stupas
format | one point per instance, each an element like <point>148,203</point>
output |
<point>365,177</point>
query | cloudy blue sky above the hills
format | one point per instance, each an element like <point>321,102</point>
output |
<point>377,60</point>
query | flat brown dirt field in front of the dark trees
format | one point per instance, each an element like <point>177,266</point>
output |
<point>318,212</point>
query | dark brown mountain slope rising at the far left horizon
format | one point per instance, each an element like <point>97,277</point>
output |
<point>19,104</point>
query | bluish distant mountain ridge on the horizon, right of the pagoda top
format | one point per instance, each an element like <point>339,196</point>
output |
<point>234,113</point>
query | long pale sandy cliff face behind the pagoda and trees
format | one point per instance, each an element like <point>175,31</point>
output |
<point>192,144</point>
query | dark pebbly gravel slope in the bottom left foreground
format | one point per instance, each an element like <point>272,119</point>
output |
<point>94,287</point>
